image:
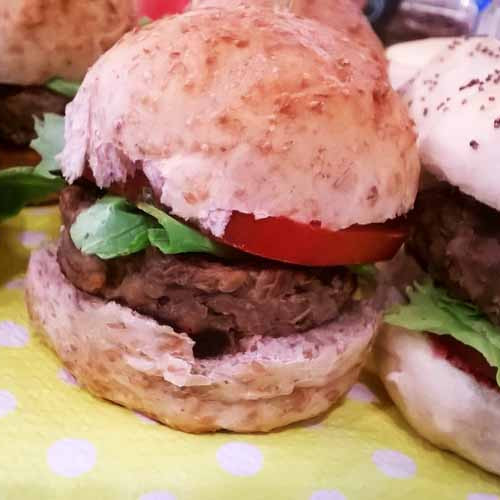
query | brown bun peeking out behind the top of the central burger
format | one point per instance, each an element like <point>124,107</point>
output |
<point>342,15</point>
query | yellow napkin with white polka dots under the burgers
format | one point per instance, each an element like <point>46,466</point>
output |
<point>58,442</point>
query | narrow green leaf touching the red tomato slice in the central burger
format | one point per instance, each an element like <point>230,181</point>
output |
<point>180,238</point>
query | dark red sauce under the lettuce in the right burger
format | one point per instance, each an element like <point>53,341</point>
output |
<point>464,358</point>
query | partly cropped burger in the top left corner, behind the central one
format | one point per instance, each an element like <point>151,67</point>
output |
<point>46,47</point>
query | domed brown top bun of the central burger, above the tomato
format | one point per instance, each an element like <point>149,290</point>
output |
<point>250,110</point>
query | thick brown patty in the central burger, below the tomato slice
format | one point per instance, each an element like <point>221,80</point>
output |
<point>202,295</point>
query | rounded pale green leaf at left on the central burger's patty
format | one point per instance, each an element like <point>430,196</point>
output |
<point>110,228</point>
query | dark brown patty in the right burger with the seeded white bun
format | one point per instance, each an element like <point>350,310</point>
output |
<point>457,240</point>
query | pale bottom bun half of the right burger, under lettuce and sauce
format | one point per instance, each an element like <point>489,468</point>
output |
<point>442,403</point>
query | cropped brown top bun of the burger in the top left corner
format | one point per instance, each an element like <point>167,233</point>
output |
<point>41,39</point>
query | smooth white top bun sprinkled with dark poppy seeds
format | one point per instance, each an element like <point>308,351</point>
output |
<point>455,103</point>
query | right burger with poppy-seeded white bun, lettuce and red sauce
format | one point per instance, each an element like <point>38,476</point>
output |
<point>440,355</point>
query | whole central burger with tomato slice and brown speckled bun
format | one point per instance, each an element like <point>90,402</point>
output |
<point>226,167</point>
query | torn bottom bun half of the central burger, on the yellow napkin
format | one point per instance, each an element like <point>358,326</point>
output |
<point>132,360</point>
